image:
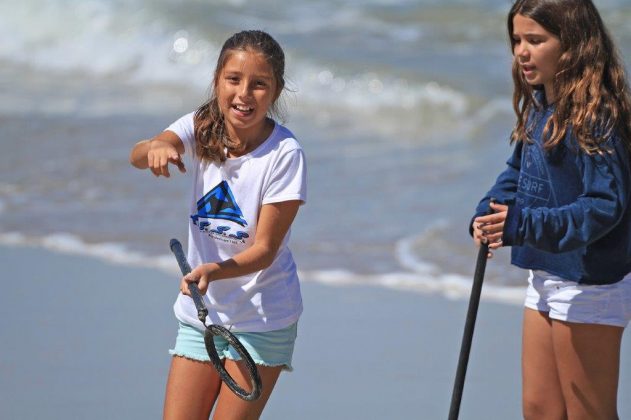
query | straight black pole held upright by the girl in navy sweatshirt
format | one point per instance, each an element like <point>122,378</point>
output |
<point>467,336</point>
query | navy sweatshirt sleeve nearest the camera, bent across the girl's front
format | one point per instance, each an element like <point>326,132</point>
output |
<point>597,210</point>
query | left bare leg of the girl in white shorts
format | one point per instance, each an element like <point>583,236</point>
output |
<point>542,397</point>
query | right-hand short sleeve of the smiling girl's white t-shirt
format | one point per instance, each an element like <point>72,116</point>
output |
<point>288,180</point>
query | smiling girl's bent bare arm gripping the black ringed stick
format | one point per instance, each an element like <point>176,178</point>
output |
<point>274,222</point>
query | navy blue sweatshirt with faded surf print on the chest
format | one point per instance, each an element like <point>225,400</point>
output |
<point>568,211</point>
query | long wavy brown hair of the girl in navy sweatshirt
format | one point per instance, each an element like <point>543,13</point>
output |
<point>591,90</point>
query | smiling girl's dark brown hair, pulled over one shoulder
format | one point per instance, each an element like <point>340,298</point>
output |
<point>211,136</point>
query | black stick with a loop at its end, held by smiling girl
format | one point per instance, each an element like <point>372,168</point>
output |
<point>213,330</point>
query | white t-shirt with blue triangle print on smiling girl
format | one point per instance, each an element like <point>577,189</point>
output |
<point>224,209</point>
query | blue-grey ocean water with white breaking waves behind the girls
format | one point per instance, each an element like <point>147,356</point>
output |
<point>402,106</point>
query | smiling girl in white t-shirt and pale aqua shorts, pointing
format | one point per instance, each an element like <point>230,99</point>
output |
<point>249,179</point>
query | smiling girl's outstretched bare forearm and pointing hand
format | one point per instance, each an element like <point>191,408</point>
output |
<point>157,153</point>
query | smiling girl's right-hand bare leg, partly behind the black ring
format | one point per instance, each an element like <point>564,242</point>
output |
<point>231,407</point>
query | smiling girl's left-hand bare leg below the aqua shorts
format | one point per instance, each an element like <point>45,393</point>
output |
<point>192,388</point>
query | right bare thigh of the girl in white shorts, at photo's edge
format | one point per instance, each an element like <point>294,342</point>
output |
<point>588,362</point>
